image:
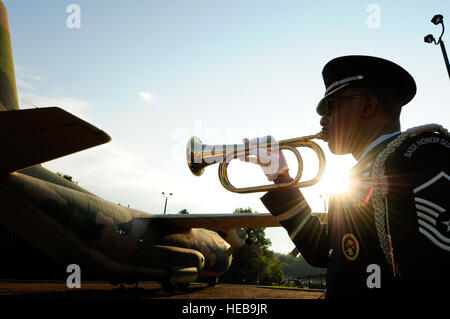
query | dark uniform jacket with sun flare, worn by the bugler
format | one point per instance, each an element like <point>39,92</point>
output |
<point>348,245</point>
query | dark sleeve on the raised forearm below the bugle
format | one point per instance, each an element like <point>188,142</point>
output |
<point>305,230</point>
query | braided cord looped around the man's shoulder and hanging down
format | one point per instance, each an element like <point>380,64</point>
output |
<point>381,189</point>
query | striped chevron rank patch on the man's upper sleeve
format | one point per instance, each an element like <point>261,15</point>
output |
<point>432,204</point>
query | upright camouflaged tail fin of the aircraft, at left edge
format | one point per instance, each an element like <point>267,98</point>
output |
<point>8,88</point>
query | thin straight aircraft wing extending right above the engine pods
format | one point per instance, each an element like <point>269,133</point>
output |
<point>215,222</point>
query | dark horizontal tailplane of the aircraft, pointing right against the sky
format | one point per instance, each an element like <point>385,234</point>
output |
<point>33,136</point>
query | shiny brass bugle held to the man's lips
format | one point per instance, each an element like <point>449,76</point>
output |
<point>199,156</point>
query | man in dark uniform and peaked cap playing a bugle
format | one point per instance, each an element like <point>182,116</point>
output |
<point>394,224</point>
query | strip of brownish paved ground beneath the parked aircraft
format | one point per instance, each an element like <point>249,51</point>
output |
<point>44,290</point>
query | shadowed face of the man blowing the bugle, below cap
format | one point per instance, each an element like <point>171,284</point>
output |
<point>342,122</point>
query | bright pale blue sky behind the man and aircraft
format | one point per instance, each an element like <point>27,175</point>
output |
<point>153,73</point>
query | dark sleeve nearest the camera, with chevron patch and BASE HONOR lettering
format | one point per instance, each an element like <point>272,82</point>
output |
<point>419,189</point>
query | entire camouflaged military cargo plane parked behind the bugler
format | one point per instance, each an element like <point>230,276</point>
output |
<point>74,226</point>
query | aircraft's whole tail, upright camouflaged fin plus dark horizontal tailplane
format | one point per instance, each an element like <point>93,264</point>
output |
<point>33,136</point>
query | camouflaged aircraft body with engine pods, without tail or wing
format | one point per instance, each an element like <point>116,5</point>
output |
<point>116,243</point>
